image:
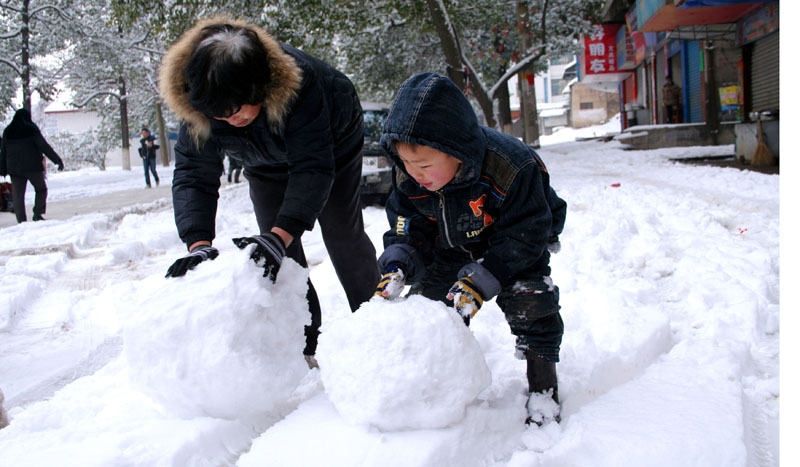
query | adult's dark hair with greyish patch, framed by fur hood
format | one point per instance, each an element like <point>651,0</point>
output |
<point>228,68</point>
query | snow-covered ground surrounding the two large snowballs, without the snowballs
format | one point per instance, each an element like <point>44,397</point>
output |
<point>669,280</point>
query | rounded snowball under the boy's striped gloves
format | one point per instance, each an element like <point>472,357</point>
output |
<point>401,365</point>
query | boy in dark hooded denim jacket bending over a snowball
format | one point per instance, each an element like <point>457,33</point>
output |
<point>472,216</point>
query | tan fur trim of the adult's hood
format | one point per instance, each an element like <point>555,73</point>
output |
<point>286,77</point>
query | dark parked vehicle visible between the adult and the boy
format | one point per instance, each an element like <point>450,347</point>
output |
<point>376,170</point>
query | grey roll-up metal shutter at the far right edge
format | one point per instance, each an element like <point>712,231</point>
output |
<point>765,73</point>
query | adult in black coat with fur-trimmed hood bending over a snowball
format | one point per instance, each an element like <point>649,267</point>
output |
<point>296,125</point>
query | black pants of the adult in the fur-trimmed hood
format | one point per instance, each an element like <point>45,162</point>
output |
<point>350,249</point>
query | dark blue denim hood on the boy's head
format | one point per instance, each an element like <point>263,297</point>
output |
<point>431,110</point>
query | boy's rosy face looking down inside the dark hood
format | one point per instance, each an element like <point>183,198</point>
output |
<point>431,168</point>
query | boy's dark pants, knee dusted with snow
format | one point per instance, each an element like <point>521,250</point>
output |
<point>529,302</point>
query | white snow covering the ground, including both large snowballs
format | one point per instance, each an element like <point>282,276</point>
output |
<point>669,283</point>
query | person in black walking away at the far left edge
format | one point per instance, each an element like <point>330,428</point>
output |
<point>22,153</point>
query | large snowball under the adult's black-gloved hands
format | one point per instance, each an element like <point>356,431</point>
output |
<point>221,341</point>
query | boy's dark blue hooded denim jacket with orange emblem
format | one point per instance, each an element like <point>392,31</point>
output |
<point>499,210</point>
